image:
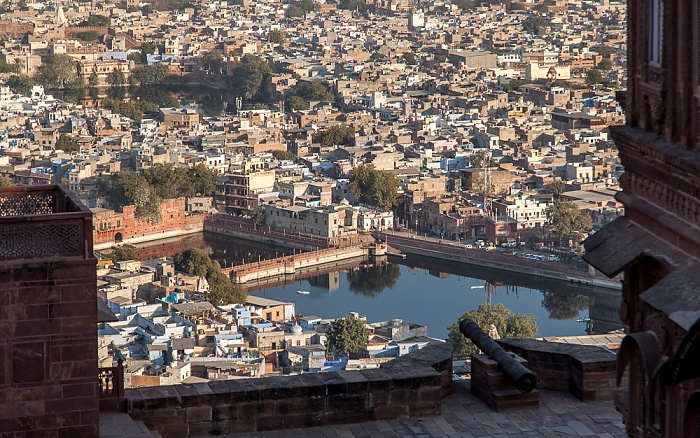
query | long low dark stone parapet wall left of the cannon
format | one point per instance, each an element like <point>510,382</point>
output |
<point>411,386</point>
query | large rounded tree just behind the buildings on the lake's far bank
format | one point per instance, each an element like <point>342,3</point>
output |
<point>373,187</point>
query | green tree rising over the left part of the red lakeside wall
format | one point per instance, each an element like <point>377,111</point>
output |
<point>126,188</point>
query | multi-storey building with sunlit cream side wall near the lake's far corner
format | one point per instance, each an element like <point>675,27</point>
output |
<point>238,193</point>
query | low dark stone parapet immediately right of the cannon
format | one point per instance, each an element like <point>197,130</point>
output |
<point>586,371</point>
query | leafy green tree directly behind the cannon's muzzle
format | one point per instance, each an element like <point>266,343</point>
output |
<point>508,324</point>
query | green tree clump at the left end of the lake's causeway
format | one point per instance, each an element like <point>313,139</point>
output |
<point>222,290</point>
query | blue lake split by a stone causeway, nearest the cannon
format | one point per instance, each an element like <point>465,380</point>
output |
<point>418,289</point>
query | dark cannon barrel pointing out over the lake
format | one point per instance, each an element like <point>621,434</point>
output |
<point>524,379</point>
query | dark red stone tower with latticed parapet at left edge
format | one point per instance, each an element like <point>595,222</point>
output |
<point>48,315</point>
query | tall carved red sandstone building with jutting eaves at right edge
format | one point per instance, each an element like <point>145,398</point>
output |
<point>657,243</point>
